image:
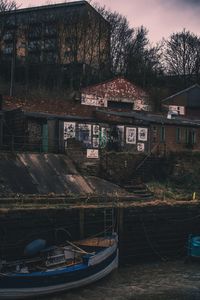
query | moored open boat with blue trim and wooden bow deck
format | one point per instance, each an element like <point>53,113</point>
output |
<point>59,268</point>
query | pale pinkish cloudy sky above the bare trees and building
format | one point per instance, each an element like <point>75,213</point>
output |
<point>160,17</point>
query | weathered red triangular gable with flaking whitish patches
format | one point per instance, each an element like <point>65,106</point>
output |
<point>116,89</point>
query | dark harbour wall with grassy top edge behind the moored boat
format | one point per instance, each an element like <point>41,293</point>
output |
<point>155,230</point>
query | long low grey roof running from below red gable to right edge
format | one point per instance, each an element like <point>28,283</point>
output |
<point>153,118</point>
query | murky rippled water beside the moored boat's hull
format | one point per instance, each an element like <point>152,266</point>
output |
<point>155,281</point>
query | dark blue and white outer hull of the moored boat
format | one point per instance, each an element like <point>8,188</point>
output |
<point>27,286</point>
